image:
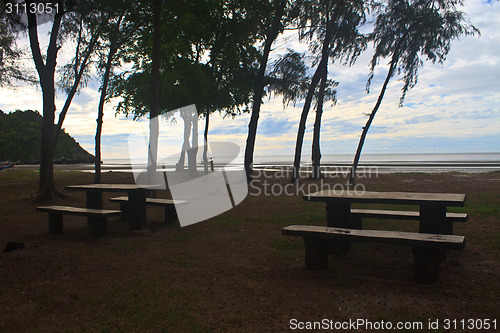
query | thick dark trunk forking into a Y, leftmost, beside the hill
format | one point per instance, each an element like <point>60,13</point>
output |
<point>46,74</point>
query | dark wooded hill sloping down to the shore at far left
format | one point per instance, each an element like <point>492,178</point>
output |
<point>20,133</point>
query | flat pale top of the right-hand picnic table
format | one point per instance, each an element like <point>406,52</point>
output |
<point>402,198</point>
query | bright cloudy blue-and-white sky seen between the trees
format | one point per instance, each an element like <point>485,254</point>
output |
<point>454,108</point>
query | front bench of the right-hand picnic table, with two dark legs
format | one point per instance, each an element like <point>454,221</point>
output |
<point>428,249</point>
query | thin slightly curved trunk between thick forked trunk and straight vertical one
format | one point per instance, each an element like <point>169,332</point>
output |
<point>100,113</point>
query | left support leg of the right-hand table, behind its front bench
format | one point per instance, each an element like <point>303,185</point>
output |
<point>338,215</point>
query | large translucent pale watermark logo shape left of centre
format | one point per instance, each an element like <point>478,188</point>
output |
<point>202,178</point>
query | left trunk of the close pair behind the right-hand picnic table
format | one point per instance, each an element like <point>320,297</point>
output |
<point>310,94</point>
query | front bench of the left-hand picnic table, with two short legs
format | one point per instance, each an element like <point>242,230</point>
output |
<point>97,218</point>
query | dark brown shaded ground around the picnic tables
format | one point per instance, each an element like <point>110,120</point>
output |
<point>235,272</point>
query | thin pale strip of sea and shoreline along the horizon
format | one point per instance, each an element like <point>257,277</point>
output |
<point>383,163</point>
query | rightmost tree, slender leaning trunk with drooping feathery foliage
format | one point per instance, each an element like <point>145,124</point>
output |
<point>406,31</point>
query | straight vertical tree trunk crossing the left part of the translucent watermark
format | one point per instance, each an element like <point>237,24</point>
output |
<point>154,93</point>
